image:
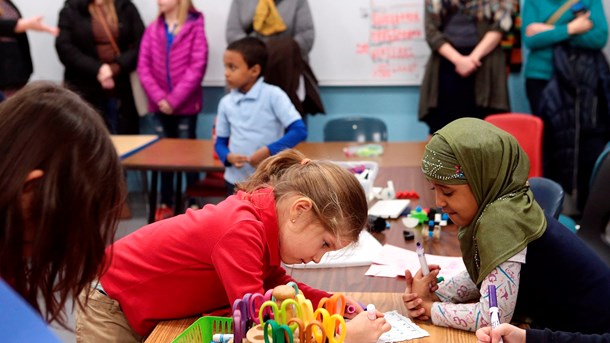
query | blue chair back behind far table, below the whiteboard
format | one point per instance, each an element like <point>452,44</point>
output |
<point>355,129</point>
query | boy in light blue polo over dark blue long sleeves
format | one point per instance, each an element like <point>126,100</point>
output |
<point>255,120</point>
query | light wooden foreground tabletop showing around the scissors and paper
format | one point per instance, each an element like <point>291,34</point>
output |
<point>168,330</point>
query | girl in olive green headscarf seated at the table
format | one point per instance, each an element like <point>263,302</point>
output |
<point>544,275</point>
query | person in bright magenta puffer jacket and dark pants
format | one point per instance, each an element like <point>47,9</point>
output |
<point>171,65</point>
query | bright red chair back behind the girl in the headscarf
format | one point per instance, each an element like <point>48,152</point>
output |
<point>528,130</point>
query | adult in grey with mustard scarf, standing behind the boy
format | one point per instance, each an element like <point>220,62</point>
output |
<point>287,28</point>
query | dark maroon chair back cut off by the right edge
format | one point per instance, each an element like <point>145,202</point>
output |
<point>594,228</point>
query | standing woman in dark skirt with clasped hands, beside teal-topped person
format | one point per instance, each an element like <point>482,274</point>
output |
<point>466,73</point>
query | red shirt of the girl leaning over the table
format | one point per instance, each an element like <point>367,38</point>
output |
<point>197,262</point>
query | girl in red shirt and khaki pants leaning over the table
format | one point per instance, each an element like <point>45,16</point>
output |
<point>291,210</point>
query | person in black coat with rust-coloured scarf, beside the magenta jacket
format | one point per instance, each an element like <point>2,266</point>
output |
<point>98,45</point>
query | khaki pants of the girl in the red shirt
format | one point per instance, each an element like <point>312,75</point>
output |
<point>102,320</point>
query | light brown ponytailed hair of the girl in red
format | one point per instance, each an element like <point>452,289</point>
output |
<point>338,199</point>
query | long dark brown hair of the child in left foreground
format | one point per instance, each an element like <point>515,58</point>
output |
<point>75,205</point>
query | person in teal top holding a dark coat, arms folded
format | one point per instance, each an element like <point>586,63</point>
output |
<point>564,39</point>
